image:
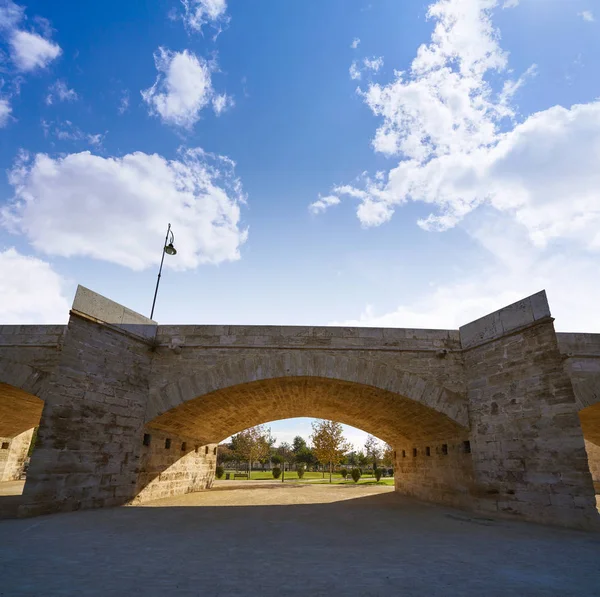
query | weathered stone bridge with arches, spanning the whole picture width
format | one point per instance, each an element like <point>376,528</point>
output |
<point>490,417</point>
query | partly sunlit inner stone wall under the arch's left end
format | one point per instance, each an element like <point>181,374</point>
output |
<point>173,465</point>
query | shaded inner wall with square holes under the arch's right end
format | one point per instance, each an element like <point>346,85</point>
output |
<point>435,471</point>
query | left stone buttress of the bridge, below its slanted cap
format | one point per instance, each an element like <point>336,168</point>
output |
<point>91,430</point>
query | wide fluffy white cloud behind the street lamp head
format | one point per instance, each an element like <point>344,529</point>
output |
<point>83,204</point>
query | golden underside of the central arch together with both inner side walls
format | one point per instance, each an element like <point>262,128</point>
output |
<point>404,423</point>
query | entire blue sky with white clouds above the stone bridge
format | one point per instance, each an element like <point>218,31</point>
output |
<point>347,161</point>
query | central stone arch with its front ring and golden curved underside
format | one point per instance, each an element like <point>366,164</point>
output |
<point>366,393</point>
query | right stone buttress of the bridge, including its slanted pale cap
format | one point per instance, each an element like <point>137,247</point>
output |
<point>528,451</point>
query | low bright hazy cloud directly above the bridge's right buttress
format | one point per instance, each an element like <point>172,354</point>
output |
<point>508,269</point>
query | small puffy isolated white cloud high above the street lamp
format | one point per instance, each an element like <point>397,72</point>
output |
<point>182,89</point>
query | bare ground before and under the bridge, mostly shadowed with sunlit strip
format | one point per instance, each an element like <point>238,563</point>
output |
<point>309,540</point>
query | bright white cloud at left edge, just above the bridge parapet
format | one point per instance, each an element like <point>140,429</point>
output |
<point>20,284</point>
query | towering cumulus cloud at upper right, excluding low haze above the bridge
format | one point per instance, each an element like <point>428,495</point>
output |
<point>443,120</point>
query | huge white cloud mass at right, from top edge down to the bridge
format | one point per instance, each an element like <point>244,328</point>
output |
<point>526,190</point>
